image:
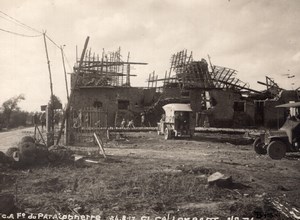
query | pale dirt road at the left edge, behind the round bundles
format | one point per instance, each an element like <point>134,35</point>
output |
<point>11,138</point>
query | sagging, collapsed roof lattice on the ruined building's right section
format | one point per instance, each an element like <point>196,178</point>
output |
<point>189,74</point>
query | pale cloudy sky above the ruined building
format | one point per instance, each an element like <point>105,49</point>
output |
<point>257,38</point>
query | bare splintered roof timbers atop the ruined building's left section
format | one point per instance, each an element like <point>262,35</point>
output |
<point>109,70</point>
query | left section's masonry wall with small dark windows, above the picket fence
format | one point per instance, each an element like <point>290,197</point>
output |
<point>111,100</point>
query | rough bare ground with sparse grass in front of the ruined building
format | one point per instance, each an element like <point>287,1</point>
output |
<point>146,175</point>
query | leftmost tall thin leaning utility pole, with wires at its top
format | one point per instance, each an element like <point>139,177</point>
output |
<point>51,133</point>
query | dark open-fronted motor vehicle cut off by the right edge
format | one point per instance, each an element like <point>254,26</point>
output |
<point>286,139</point>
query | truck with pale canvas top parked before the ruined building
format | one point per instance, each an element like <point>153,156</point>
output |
<point>177,121</point>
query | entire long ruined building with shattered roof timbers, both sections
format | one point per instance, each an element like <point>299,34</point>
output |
<point>103,95</point>
